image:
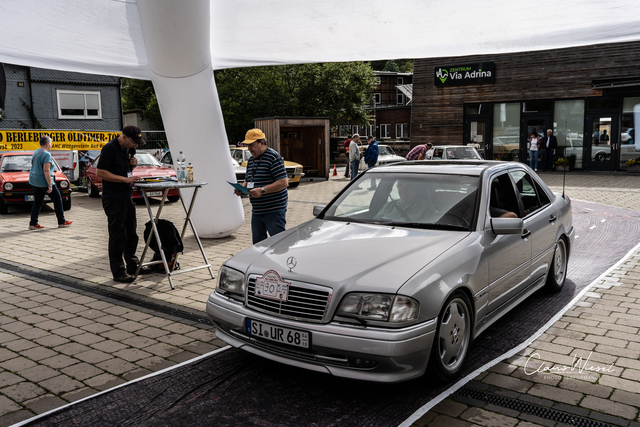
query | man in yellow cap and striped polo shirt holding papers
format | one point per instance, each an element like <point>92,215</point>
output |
<point>267,181</point>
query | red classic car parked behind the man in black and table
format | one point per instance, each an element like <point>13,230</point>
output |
<point>148,168</point>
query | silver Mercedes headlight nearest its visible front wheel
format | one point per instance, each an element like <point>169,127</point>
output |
<point>384,307</point>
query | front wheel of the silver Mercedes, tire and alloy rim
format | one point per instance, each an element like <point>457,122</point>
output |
<point>453,337</point>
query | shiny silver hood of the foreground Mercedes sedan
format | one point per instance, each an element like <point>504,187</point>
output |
<point>348,256</point>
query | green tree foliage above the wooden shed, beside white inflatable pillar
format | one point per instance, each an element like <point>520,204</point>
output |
<point>335,90</point>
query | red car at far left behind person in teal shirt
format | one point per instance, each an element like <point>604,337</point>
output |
<point>14,181</point>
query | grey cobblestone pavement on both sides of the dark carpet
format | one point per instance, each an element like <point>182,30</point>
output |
<point>68,331</point>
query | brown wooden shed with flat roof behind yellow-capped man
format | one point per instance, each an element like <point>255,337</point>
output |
<point>303,140</point>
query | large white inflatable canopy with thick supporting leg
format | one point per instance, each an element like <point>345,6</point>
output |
<point>177,44</point>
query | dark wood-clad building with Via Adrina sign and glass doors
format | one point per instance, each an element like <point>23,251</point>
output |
<point>586,95</point>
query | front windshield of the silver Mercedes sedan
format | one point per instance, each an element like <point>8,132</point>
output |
<point>412,200</point>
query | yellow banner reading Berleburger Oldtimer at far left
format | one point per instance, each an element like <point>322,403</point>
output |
<point>29,140</point>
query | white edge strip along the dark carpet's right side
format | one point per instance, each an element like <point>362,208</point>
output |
<point>433,402</point>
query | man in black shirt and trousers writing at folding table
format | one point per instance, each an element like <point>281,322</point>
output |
<point>115,167</point>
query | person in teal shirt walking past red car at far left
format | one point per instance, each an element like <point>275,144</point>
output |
<point>42,180</point>
